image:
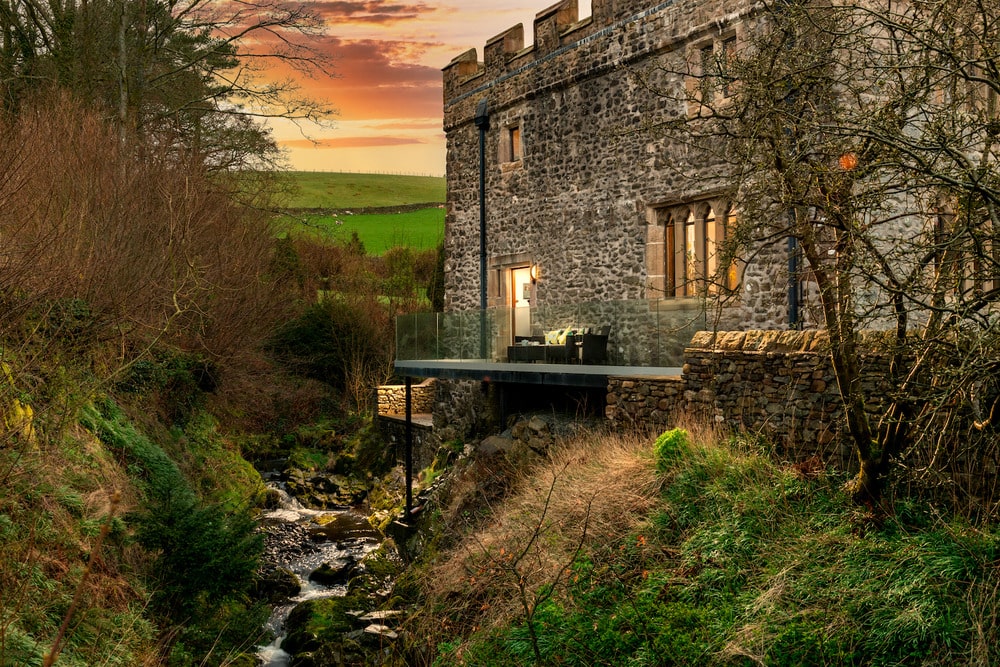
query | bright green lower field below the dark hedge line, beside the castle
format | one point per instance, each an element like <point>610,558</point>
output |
<point>420,230</point>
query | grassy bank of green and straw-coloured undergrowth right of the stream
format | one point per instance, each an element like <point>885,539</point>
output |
<point>727,559</point>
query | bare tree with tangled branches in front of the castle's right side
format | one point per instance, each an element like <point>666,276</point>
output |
<point>866,132</point>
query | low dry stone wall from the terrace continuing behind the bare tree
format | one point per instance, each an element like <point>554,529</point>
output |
<point>780,384</point>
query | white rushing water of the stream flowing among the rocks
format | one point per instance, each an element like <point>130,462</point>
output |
<point>300,539</point>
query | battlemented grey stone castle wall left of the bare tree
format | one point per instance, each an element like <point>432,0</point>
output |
<point>582,199</point>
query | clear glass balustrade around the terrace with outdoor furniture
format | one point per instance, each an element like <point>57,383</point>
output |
<point>642,332</point>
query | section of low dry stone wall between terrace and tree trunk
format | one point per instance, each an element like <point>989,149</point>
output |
<point>776,383</point>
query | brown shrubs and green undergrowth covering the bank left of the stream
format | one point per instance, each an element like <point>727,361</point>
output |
<point>151,343</point>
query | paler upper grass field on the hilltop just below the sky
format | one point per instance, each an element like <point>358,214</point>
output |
<point>312,189</point>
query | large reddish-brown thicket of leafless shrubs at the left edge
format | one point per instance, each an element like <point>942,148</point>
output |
<point>148,245</point>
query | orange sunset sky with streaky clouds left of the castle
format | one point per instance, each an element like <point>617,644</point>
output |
<point>388,58</point>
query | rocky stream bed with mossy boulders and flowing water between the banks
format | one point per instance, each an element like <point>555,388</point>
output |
<point>326,570</point>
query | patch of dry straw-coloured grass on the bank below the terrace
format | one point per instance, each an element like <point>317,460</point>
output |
<point>594,490</point>
